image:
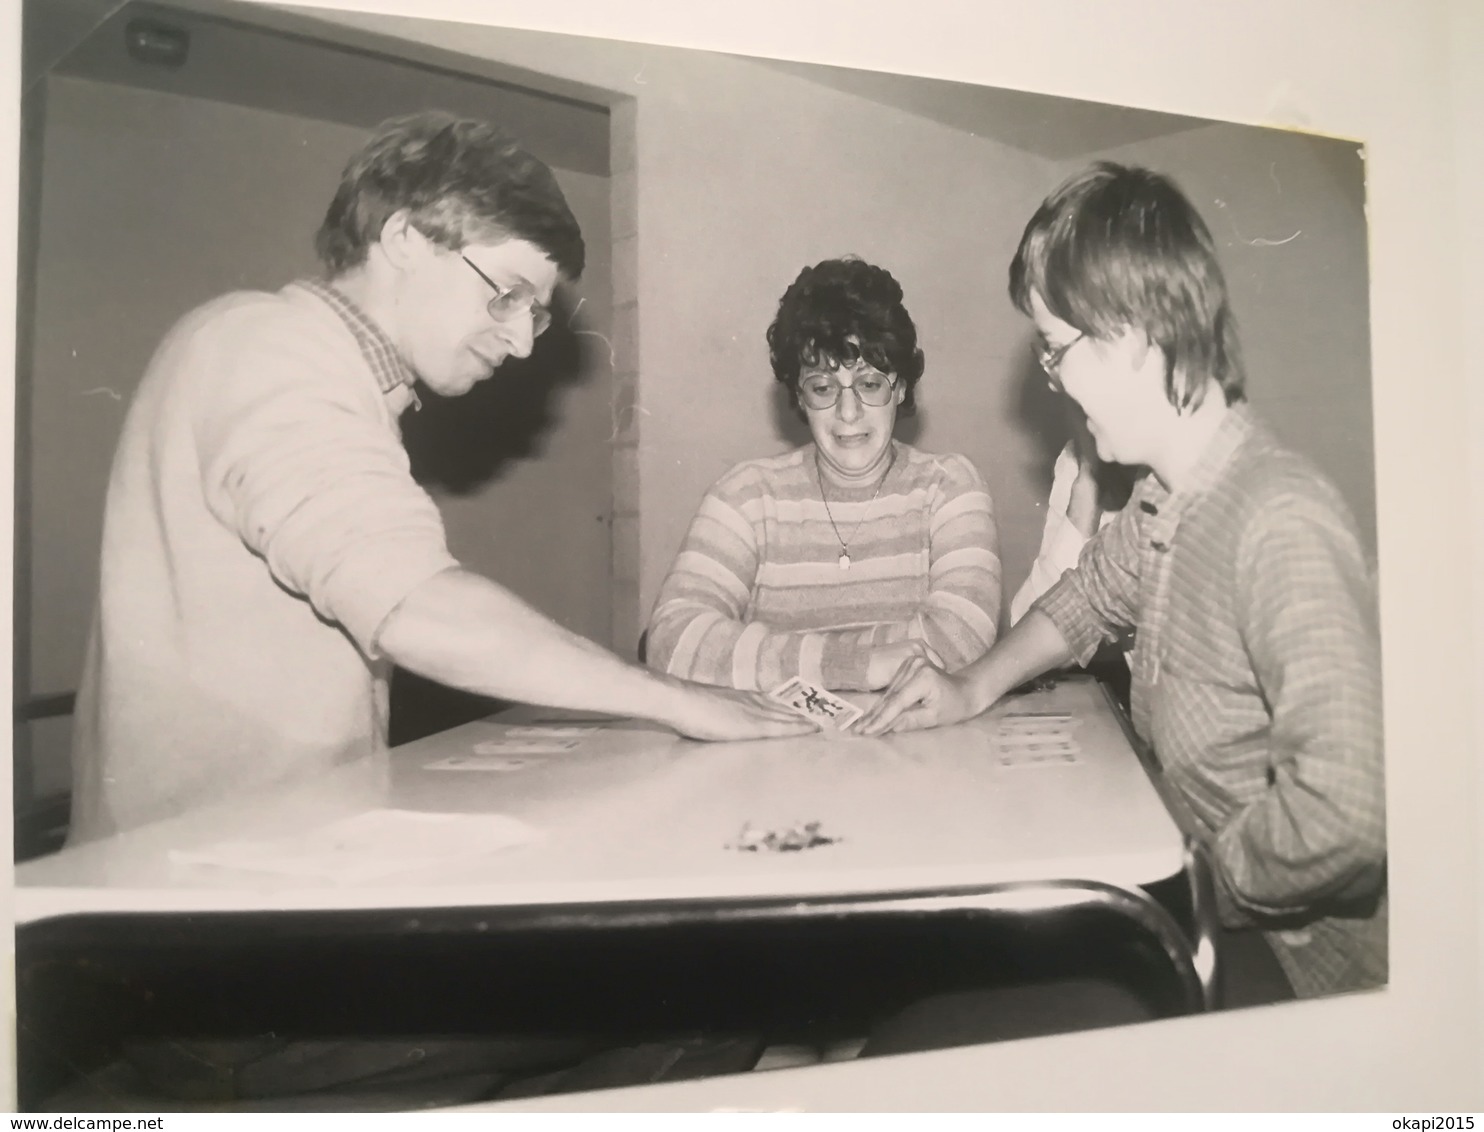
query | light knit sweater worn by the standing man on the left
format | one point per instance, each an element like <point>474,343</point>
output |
<point>262,523</point>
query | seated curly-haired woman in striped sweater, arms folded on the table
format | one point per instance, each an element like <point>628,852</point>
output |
<point>841,560</point>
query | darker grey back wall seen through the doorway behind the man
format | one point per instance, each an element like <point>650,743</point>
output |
<point>121,260</point>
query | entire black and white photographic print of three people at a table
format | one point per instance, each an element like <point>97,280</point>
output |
<point>553,569</point>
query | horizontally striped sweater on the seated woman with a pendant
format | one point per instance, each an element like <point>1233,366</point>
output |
<point>758,596</point>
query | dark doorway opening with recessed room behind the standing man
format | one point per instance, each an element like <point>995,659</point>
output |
<point>174,155</point>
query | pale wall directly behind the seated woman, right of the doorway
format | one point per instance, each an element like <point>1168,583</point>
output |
<point>744,176</point>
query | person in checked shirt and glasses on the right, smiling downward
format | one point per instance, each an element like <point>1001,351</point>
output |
<point>1256,670</point>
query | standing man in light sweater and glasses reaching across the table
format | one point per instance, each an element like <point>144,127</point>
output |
<point>266,554</point>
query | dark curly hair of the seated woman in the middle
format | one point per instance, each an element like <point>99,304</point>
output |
<point>835,302</point>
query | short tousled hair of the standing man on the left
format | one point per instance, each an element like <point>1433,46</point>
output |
<point>461,182</point>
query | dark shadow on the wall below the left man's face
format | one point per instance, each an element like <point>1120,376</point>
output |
<point>461,444</point>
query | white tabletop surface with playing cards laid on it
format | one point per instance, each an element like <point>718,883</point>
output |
<point>639,815</point>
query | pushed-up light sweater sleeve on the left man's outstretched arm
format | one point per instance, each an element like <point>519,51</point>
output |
<point>301,461</point>
